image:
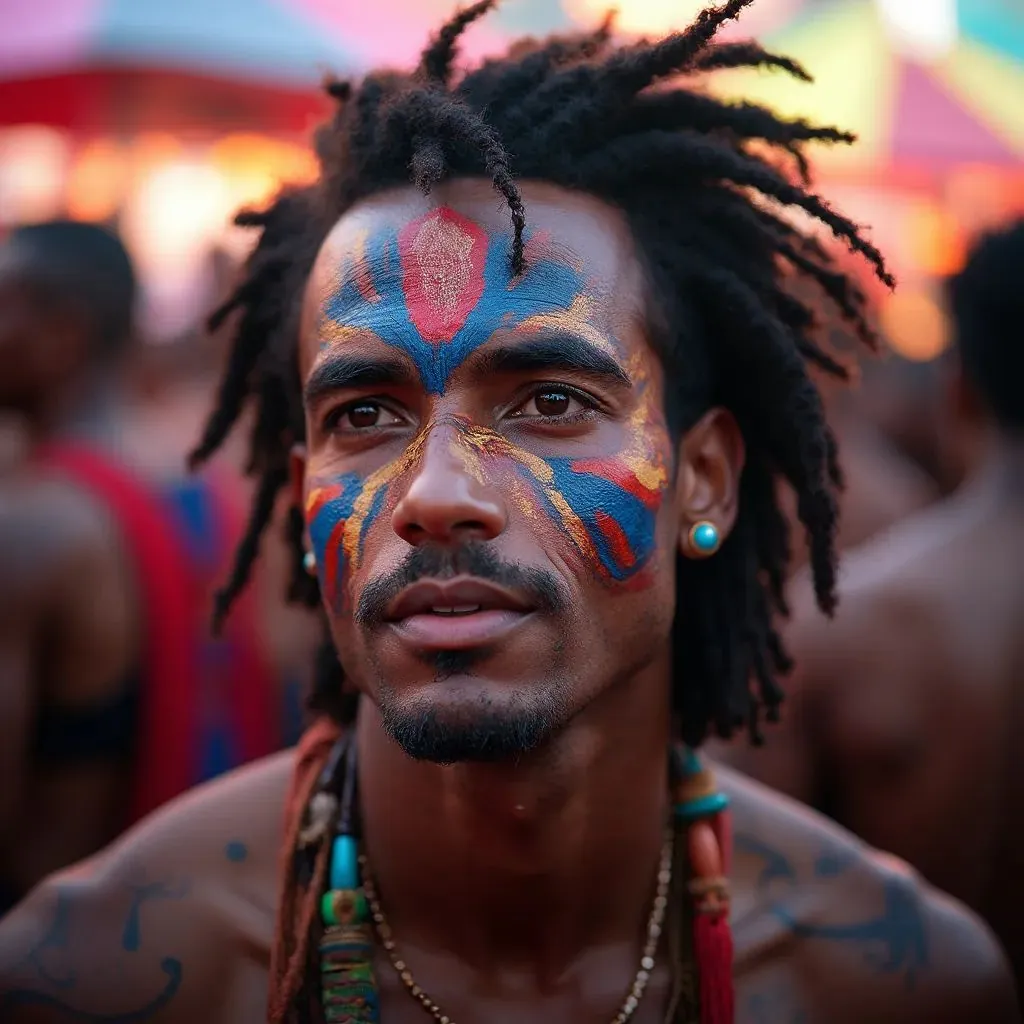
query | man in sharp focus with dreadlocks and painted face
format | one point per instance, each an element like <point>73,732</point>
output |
<point>518,452</point>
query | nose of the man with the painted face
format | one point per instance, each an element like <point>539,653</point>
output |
<point>447,502</point>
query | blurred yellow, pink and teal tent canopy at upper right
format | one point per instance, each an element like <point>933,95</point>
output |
<point>964,107</point>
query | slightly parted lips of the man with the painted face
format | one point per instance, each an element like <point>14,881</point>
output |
<point>455,615</point>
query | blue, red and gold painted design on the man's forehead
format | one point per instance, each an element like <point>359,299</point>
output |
<point>440,288</point>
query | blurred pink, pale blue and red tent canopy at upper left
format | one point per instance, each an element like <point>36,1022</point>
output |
<point>132,65</point>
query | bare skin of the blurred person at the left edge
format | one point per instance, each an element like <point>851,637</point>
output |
<point>68,624</point>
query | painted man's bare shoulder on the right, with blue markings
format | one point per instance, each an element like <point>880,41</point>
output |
<point>829,929</point>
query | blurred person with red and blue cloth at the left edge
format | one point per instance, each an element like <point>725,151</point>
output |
<point>107,709</point>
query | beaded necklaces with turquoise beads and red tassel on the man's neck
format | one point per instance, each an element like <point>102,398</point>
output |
<point>354,921</point>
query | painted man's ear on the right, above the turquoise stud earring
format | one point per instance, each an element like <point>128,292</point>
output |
<point>711,460</point>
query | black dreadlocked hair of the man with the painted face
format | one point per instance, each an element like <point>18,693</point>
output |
<point>704,186</point>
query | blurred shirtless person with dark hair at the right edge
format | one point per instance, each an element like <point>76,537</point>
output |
<point>902,717</point>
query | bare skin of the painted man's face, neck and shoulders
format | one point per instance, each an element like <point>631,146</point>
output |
<point>527,897</point>
